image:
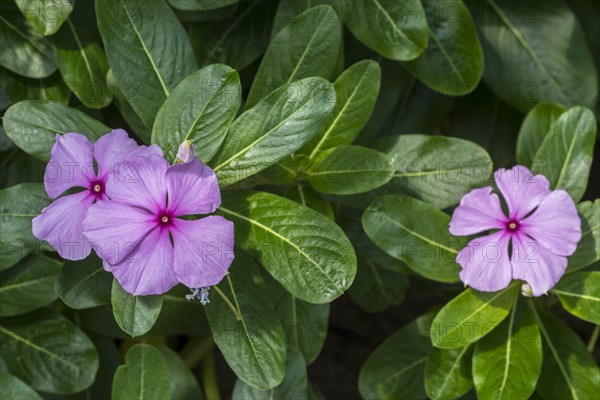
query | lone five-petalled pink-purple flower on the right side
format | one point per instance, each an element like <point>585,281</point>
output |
<point>530,244</point>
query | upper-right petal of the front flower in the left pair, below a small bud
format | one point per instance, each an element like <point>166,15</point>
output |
<point>193,189</point>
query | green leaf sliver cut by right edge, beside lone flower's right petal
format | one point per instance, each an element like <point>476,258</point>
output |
<point>588,248</point>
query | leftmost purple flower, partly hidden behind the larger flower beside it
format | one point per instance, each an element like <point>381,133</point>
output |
<point>72,166</point>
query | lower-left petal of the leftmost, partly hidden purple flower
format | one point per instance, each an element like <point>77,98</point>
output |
<point>61,225</point>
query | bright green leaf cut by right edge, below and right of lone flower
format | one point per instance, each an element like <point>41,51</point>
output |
<point>579,294</point>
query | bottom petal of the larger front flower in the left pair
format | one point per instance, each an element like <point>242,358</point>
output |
<point>149,268</point>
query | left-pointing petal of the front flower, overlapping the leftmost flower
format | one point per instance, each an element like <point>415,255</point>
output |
<point>115,229</point>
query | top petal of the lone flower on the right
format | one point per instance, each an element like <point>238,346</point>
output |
<point>522,190</point>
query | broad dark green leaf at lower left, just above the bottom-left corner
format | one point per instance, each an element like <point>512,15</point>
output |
<point>62,360</point>
